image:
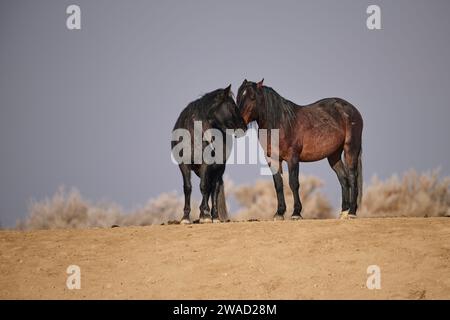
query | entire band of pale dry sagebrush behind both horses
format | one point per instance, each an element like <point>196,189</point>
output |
<point>412,195</point>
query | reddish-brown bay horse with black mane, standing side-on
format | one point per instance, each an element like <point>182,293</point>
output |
<point>324,129</point>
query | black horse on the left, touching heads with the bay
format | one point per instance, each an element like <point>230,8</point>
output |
<point>213,113</point>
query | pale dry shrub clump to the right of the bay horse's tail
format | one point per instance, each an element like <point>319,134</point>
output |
<point>413,195</point>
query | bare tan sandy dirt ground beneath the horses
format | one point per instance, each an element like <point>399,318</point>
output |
<point>309,259</point>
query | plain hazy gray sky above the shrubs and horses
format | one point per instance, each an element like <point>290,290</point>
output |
<point>94,108</point>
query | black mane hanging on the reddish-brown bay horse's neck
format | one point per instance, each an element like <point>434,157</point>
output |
<point>277,111</point>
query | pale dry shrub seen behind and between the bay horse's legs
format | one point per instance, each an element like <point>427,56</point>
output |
<point>259,201</point>
